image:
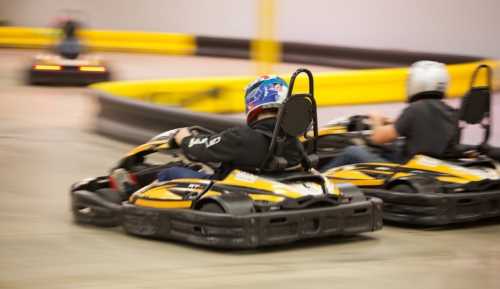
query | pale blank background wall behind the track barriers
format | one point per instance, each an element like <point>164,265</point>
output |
<point>452,26</point>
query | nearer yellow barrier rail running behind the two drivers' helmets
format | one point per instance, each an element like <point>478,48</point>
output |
<point>225,95</point>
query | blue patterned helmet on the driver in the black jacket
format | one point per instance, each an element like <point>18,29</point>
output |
<point>266,92</point>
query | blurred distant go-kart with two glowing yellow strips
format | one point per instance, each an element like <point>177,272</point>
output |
<point>53,69</point>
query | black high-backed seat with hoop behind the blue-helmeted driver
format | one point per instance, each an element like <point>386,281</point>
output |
<point>294,119</point>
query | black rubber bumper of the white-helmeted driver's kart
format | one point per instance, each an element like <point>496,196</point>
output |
<point>432,209</point>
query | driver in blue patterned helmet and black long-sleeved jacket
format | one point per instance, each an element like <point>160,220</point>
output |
<point>239,147</point>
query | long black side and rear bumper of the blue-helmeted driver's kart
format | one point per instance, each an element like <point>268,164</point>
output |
<point>254,230</point>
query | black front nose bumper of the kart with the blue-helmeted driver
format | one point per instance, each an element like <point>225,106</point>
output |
<point>99,208</point>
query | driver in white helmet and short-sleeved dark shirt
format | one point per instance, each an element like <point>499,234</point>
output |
<point>428,125</point>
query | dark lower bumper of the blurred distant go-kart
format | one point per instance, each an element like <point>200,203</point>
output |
<point>64,77</point>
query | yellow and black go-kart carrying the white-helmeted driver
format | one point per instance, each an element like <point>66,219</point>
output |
<point>426,190</point>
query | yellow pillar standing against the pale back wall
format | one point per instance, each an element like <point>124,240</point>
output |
<point>264,49</point>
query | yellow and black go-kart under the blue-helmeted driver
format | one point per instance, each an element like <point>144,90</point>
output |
<point>242,209</point>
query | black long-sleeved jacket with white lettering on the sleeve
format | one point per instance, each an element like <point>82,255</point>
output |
<point>239,147</point>
